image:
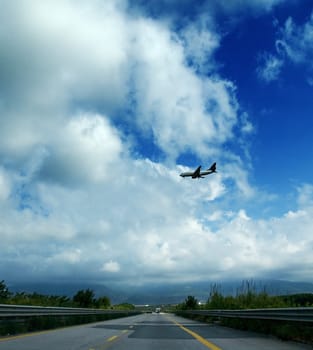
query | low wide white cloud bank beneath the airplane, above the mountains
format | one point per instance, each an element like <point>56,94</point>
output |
<point>147,222</point>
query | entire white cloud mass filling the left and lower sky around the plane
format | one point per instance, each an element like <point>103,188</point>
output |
<point>83,83</point>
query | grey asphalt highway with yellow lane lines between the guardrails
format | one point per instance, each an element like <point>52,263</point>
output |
<point>146,332</point>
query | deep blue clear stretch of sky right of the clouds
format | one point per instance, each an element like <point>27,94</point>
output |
<point>279,107</point>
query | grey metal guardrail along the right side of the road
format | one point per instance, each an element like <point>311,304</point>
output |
<point>297,314</point>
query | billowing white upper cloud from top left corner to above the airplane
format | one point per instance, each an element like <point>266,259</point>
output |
<point>97,55</point>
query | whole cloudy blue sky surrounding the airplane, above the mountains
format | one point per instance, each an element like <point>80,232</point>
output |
<point>103,103</point>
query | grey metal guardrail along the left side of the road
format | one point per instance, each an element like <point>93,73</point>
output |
<point>9,311</point>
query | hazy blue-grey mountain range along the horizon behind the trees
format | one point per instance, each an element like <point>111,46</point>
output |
<point>156,294</point>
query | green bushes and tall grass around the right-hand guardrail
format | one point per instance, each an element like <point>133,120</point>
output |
<point>247,297</point>
